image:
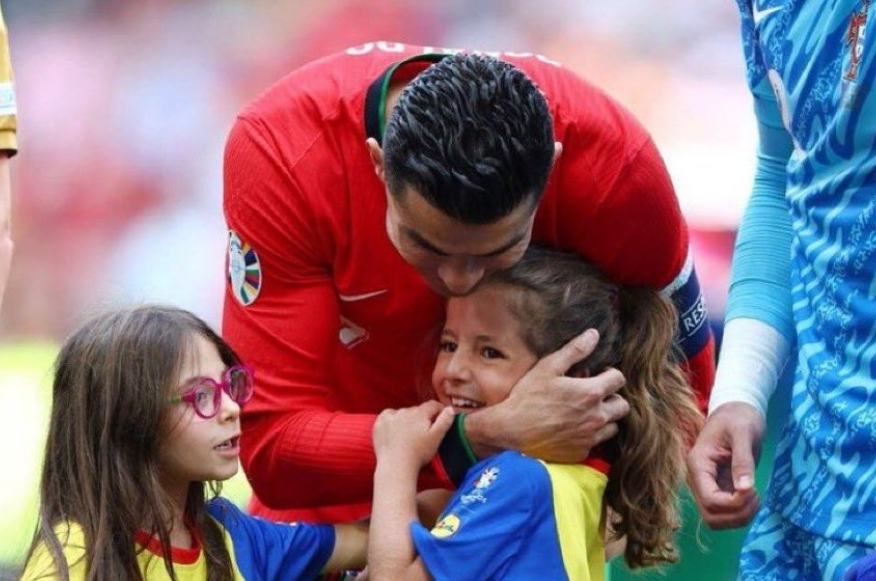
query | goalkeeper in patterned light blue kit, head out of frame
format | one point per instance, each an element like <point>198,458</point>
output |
<point>803,284</point>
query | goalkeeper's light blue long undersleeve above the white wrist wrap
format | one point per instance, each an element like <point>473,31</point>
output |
<point>760,280</point>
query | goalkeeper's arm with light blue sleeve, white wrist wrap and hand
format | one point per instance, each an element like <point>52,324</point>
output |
<point>758,337</point>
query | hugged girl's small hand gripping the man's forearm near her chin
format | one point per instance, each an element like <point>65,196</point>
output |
<point>410,436</point>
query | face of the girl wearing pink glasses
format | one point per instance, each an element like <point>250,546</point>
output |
<point>198,449</point>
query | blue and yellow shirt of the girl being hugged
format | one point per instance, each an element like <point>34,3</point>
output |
<point>517,518</point>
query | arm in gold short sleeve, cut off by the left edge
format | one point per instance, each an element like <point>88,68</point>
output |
<point>8,148</point>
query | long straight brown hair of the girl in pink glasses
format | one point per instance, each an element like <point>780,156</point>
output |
<point>112,382</point>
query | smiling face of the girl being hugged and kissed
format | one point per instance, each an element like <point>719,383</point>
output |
<point>482,353</point>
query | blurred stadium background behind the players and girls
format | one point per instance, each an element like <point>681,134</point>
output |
<point>124,107</point>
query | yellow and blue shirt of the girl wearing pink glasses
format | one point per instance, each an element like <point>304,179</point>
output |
<point>260,551</point>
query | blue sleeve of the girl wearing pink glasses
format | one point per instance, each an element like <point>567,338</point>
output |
<point>268,551</point>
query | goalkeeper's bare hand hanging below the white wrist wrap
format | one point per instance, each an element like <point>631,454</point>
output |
<point>721,465</point>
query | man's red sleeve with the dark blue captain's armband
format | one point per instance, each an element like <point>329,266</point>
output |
<point>629,224</point>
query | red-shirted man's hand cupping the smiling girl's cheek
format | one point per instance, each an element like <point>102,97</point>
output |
<point>550,416</point>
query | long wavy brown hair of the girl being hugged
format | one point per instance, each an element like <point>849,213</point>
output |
<point>555,297</point>
